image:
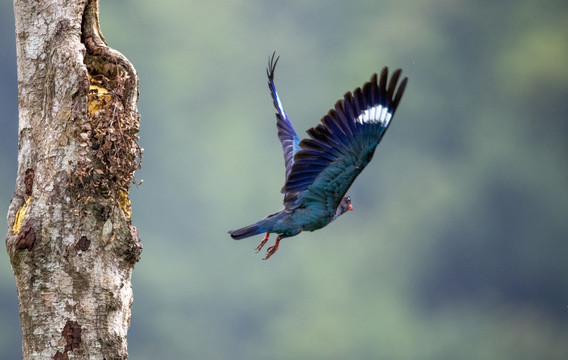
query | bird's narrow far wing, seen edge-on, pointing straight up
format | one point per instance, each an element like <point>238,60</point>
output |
<point>286,133</point>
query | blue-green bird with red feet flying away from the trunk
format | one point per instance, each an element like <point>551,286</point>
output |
<point>321,168</point>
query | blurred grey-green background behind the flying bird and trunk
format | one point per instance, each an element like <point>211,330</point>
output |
<point>457,248</point>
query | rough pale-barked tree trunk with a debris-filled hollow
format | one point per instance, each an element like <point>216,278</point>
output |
<point>70,240</point>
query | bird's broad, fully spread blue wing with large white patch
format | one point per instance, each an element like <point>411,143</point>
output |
<point>339,148</point>
